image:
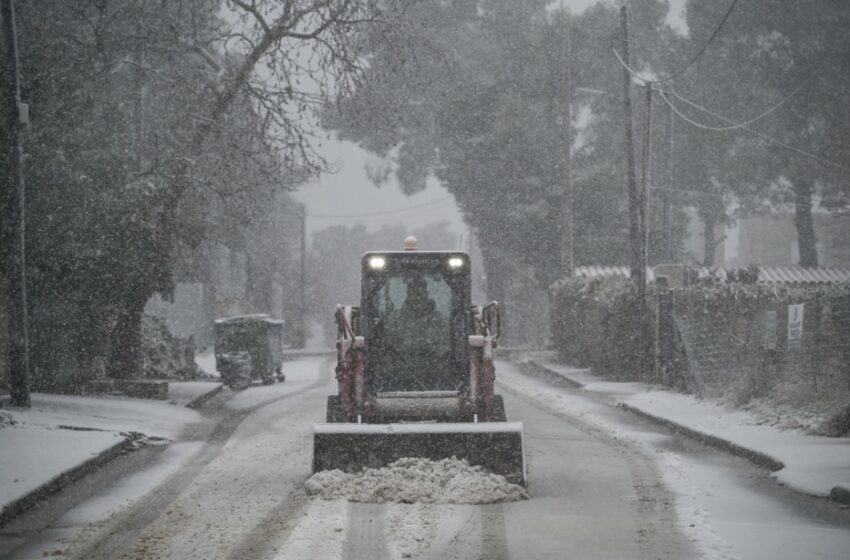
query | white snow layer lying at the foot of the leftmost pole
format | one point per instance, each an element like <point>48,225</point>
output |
<point>60,432</point>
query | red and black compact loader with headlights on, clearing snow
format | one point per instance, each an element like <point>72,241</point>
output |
<point>415,371</point>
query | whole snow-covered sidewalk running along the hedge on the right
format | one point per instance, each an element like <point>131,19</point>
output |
<point>813,465</point>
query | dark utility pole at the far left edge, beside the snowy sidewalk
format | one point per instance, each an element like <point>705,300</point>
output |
<point>14,252</point>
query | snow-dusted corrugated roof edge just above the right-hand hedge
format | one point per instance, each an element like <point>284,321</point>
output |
<point>767,274</point>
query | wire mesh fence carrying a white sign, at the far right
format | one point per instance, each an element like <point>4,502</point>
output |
<point>805,340</point>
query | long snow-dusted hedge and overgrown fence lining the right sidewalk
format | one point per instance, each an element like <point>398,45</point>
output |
<point>732,340</point>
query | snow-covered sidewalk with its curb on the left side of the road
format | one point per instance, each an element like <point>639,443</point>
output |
<point>61,438</point>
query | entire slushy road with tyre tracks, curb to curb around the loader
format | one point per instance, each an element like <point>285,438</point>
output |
<point>602,484</point>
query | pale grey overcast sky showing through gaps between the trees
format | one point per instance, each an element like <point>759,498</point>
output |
<point>348,196</point>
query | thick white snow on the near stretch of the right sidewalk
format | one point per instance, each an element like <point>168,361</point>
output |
<point>813,464</point>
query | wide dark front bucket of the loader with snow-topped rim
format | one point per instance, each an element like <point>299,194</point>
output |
<point>496,446</point>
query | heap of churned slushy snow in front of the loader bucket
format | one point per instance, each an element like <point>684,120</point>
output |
<point>409,480</point>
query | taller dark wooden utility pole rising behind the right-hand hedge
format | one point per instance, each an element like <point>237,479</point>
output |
<point>635,233</point>
